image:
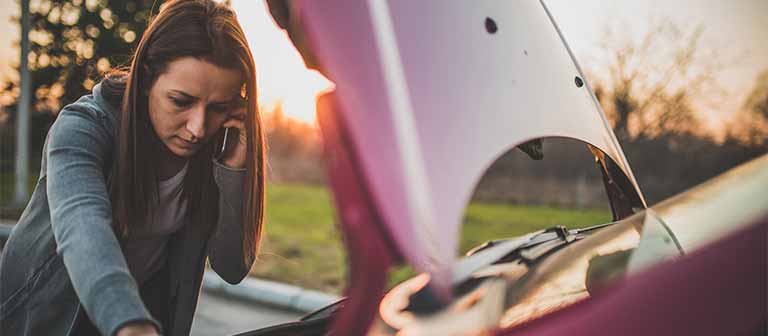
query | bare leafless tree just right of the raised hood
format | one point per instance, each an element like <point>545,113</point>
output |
<point>648,88</point>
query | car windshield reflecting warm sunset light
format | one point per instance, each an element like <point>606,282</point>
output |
<point>580,270</point>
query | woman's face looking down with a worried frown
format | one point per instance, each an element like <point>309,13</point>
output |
<point>190,101</point>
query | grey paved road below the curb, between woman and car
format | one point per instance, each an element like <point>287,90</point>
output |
<point>219,316</point>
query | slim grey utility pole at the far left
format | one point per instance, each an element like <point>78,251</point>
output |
<point>22,114</point>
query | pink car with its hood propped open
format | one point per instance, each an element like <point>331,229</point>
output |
<point>427,95</point>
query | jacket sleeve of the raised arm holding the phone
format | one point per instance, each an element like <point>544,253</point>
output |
<point>226,246</point>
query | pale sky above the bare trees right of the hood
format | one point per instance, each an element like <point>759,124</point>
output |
<point>736,30</point>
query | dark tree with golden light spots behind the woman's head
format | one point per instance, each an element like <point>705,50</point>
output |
<point>73,42</point>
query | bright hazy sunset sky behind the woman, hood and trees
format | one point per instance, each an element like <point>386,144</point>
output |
<point>736,29</point>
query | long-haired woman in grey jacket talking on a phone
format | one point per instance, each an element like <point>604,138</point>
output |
<point>135,193</point>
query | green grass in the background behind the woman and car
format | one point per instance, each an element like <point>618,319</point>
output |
<point>302,246</point>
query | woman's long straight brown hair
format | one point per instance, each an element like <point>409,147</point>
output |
<point>209,31</point>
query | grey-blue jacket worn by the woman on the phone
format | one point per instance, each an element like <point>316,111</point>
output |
<point>63,263</point>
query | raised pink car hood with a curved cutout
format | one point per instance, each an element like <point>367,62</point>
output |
<point>432,92</point>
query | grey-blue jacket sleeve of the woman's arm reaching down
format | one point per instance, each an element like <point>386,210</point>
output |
<point>81,219</point>
